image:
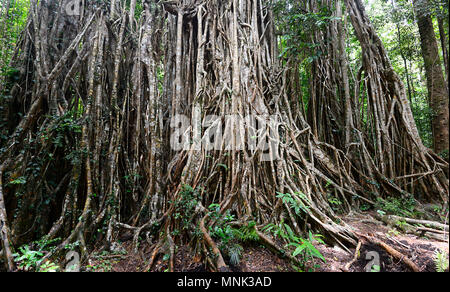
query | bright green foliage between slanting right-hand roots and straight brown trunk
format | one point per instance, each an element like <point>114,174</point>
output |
<point>396,25</point>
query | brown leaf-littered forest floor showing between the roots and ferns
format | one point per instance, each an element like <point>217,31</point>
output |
<point>257,258</point>
